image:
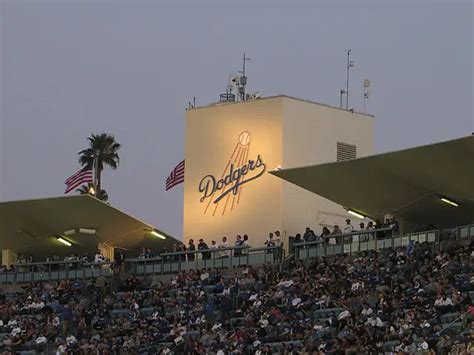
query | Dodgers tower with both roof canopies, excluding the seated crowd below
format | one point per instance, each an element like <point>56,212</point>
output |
<point>258,166</point>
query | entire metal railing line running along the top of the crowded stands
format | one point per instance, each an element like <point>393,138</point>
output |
<point>220,258</point>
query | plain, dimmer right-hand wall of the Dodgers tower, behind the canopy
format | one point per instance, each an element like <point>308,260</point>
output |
<point>310,135</point>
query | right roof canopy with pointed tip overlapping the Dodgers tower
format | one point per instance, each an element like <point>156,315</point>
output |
<point>407,183</point>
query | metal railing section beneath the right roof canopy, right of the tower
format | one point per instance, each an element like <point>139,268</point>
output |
<point>360,241</point>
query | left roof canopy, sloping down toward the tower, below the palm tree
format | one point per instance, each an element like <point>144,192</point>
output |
<point>33,226</point>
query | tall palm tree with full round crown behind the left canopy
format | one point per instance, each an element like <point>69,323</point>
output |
<point>104,148</point>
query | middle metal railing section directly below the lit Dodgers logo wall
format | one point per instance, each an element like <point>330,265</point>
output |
<point>219,258</point>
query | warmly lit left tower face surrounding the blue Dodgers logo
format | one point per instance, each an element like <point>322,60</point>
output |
<point>211,137</point>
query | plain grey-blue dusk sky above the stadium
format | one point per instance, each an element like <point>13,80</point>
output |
<point>128,68</point>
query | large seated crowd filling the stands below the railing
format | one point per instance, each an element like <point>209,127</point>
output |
<point>398,301</point>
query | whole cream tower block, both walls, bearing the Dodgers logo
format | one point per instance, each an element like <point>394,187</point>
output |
<point>231,147</point>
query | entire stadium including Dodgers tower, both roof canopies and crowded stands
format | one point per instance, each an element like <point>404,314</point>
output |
<point>118,285</point>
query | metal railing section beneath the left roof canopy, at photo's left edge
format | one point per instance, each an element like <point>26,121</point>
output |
<point>56,271</point>
